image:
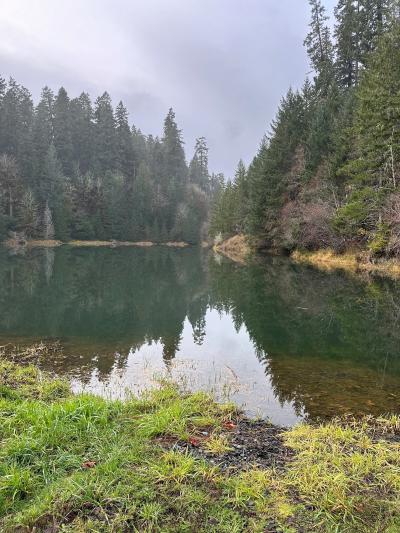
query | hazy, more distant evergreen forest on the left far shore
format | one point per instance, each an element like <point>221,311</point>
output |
<point>73,170</point>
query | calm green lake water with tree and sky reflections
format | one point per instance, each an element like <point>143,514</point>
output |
<point>284,341</point>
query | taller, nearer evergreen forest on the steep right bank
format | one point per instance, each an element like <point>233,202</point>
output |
<point>327,174</point>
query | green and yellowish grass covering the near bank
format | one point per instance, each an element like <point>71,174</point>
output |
<point>77,463</point>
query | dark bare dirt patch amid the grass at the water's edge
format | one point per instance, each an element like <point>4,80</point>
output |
<point>251,444</point>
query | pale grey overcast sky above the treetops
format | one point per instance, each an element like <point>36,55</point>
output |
<point>223,65</point>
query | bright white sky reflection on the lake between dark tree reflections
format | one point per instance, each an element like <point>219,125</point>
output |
<point>225,364</point>
